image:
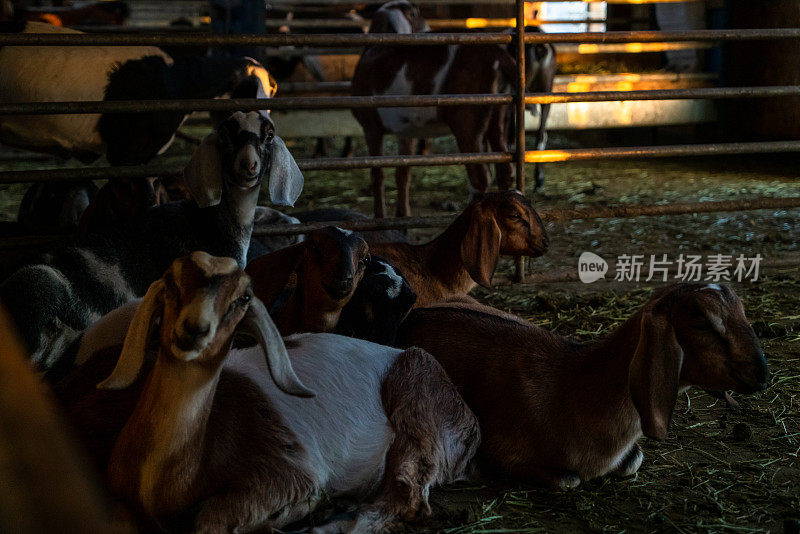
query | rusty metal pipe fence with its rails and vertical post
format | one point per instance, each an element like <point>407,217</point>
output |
<point>519,99</point>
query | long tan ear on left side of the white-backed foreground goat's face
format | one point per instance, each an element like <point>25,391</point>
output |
<point>132,356</point>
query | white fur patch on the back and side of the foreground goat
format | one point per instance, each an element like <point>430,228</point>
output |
<point>344,427</point>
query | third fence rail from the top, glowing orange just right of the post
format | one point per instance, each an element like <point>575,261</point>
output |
<point>532,156</point>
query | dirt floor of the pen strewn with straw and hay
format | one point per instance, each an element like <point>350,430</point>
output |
<point>719,470</point>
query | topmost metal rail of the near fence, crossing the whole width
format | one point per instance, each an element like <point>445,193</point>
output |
<point>417,39</point>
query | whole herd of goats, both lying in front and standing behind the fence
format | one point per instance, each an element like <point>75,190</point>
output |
<point>225,382</point>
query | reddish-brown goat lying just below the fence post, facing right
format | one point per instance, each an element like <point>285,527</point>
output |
<point>466,253</point>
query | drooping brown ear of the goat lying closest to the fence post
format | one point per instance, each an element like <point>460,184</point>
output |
<point>480,249</point>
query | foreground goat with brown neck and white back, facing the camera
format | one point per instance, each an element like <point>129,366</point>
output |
<point>235,440</point>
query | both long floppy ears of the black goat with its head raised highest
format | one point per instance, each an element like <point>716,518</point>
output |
<point>204,173</point>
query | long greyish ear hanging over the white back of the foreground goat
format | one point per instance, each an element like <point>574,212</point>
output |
<point>258,324</point>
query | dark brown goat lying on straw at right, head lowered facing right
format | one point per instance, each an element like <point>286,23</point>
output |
<point>558,412</point>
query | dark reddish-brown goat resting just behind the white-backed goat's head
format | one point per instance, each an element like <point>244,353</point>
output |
<point>305,286</point>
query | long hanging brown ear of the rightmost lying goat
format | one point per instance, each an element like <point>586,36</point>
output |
<point>654,374</point>
